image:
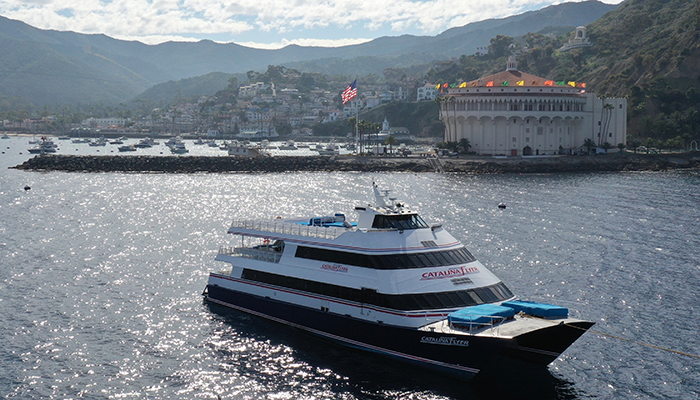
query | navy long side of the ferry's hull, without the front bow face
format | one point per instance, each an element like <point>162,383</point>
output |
<point>462,356</point>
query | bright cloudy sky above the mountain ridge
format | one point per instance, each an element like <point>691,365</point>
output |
<point>268,24</point>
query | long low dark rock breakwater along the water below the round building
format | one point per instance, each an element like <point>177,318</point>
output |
<point>191,164</point>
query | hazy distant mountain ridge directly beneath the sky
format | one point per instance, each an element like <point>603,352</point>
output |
<point>52,67</point>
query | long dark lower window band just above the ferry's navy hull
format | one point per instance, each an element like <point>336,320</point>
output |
<point>404,302</point>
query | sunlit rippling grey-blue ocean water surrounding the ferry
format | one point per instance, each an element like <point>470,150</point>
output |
<point>101,278</point>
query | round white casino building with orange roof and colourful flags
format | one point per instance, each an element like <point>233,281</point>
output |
<point>514,113</point>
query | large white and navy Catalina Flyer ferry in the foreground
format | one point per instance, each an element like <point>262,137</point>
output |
<point>389,283</point>
